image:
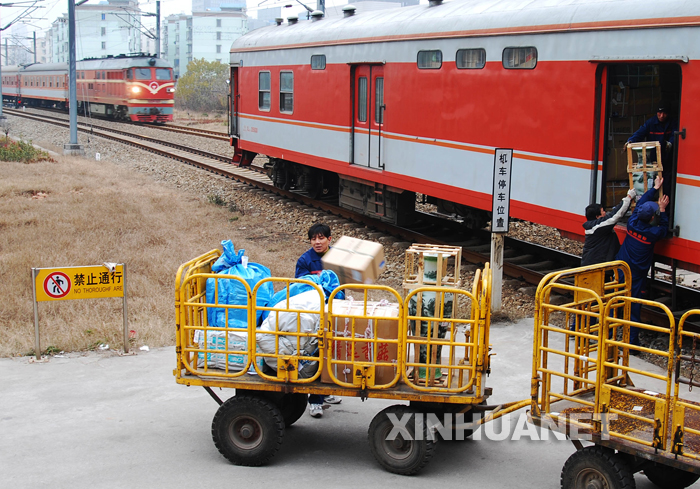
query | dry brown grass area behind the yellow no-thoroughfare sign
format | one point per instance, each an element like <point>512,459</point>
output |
<point>76,212</point>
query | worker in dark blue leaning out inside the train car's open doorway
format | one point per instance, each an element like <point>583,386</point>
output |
<point>661,128</point>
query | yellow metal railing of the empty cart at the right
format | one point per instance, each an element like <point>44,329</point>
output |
<point>596,371</point>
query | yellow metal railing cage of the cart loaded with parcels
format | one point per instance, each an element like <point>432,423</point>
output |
<point>361,343</point>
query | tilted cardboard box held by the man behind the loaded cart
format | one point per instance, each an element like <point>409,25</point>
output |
<point>355,261</point>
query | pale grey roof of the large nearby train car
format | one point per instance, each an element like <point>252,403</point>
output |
<point>474,18</point>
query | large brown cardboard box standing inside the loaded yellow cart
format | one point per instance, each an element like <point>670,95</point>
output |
<point>345,312</point>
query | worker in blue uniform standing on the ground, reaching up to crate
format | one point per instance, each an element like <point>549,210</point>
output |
<point>647,225</point>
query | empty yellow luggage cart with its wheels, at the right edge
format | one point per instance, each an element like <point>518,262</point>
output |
<point>583,384</point>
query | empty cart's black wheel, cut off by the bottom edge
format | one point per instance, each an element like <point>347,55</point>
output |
<point>596,468</point>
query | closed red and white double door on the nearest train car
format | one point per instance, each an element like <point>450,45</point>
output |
<point>368,119</point>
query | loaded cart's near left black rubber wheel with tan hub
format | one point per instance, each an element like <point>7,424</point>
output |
<point>248,430</point>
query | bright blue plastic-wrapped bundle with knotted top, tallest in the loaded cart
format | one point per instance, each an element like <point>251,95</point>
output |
<point>232,291</point>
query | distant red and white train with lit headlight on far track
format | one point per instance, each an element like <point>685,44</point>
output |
<point>128,88</point>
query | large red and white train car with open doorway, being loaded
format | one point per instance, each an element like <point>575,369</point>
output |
<point>416,99</point>
